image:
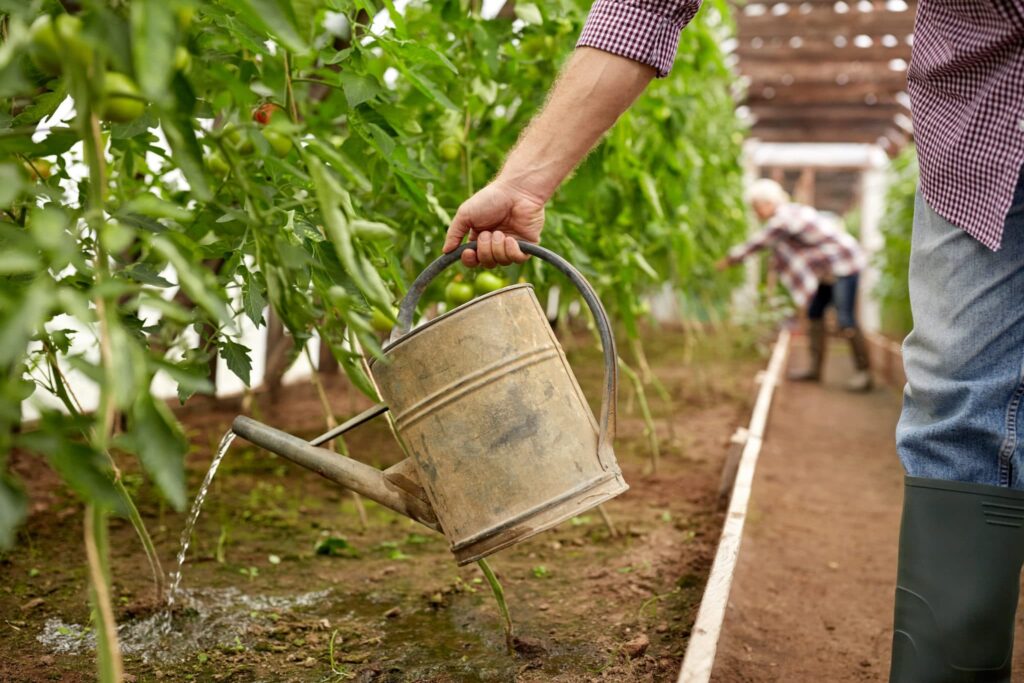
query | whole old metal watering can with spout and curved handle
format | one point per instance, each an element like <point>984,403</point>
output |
<point>501,442</point>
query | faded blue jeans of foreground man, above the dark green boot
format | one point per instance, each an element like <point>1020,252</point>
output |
<point>964,403</point>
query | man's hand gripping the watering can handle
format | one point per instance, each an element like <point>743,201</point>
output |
<point>496,218</point>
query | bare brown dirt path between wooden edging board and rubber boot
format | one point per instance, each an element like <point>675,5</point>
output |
<point>813,596</point>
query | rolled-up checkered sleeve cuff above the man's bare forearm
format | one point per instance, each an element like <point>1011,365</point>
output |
<point>647,31</point>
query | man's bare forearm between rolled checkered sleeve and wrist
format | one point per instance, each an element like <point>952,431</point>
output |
<point>593,92</point>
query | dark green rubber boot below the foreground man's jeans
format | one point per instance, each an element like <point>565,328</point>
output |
<point>961,550</point>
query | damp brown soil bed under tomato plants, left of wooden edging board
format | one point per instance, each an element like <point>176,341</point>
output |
<point>587,607</point>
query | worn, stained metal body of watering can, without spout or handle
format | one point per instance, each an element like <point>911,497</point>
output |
<point>496,423</point>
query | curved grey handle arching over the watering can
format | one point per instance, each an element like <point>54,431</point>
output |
<point>608,424</point>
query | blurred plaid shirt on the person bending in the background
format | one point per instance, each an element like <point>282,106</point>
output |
<point>807,249</point>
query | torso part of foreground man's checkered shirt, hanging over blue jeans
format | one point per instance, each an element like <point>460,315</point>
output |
<point>967,94</point>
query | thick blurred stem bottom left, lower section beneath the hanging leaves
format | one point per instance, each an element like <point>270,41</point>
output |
<point>98,551</point>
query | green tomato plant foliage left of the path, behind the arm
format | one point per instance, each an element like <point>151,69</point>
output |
<point>328,232</point>
